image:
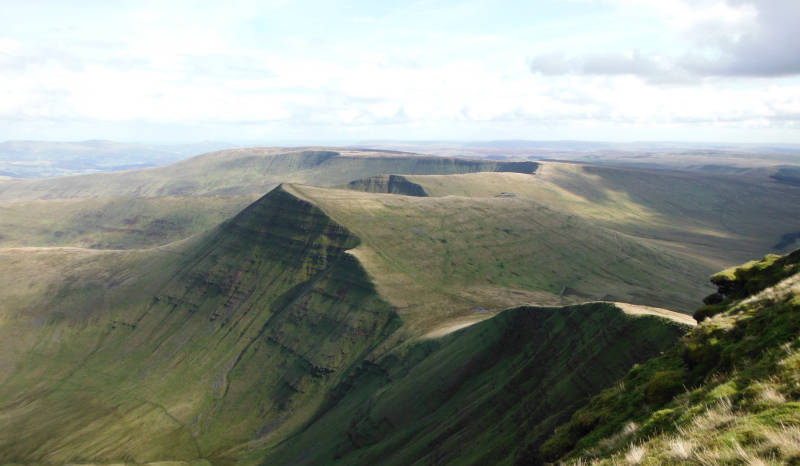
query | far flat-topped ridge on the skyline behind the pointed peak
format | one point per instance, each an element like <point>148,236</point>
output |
<point>247,171</point>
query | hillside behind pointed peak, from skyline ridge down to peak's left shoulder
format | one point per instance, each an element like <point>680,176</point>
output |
<point>153,207</point>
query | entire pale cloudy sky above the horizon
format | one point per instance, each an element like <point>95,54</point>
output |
<point>340,70</point>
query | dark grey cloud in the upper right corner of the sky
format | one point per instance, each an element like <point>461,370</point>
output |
<point>734,38</point>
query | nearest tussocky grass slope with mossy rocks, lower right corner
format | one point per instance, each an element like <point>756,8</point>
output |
<point>727,394</point>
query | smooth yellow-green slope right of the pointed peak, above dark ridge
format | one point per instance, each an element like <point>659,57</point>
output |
<point>460,254</point>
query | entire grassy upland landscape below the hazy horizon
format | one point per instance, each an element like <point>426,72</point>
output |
<point>327,305</point>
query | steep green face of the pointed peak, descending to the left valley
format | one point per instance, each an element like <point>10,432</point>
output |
<point>182,352</point>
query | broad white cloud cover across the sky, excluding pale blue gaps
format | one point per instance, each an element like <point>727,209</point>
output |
<point>166,70</point>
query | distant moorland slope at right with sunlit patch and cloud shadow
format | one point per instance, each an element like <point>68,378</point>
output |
<point>722,219</point>
